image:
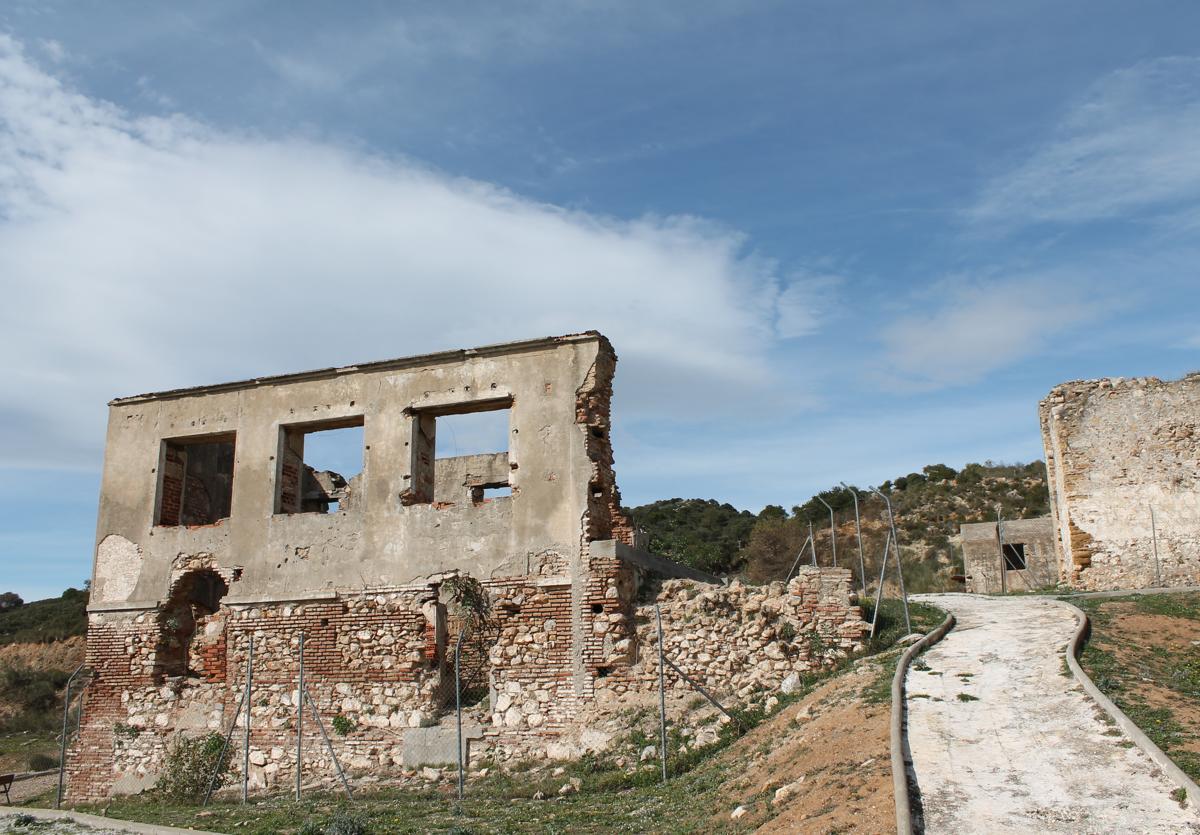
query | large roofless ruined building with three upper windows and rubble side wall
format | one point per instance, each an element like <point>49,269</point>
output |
<point>214,528</point>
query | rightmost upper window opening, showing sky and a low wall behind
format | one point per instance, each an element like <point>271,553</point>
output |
<point>461,454</point>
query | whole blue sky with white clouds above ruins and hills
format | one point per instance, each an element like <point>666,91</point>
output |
<point>831,242</point>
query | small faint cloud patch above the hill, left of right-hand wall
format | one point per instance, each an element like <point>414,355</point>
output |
<point>981,327</point>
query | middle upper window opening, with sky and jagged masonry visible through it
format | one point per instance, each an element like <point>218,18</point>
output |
<point>321,467</point>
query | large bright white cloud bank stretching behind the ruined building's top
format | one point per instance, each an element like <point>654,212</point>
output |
<point>140,254</point>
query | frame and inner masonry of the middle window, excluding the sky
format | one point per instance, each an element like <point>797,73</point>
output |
<point>298,484</point>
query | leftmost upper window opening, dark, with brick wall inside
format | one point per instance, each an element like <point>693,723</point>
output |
<point>196,482</point>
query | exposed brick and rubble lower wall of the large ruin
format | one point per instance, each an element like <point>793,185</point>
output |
<point>383,662</point>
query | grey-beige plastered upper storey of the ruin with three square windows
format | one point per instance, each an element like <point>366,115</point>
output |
<point>395,533</point>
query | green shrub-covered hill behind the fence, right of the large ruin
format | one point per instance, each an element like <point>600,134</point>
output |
<point>929,507</point>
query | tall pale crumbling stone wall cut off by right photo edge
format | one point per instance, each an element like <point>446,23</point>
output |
<point>1124,467</point>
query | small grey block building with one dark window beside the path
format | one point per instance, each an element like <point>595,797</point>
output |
<point>1015,556</point>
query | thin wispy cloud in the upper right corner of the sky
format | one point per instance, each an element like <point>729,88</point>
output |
<point>1130,146</point>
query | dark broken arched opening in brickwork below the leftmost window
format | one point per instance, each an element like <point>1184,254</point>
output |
<point>195,598</point>
